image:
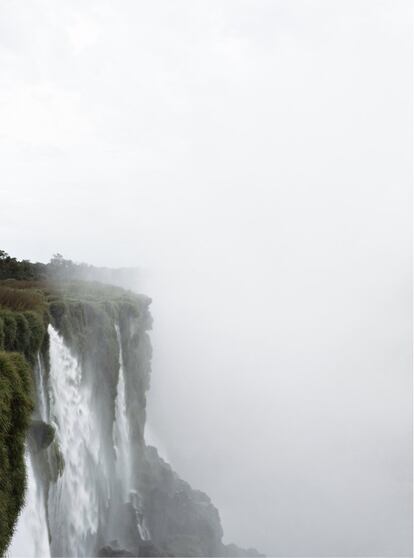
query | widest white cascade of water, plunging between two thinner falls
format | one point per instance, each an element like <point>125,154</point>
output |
<point>73,500</point>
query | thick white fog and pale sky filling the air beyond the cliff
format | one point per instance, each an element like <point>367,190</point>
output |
<point>253,158</point>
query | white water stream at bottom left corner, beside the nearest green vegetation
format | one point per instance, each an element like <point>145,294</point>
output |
<point>30,539</point>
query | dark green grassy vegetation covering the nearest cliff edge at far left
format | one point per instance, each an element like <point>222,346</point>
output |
<point>23,320</point>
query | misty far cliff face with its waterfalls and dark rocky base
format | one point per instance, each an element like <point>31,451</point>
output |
<point>100,489</point>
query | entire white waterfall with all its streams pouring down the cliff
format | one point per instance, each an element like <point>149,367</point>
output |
<point>94,495</point>
